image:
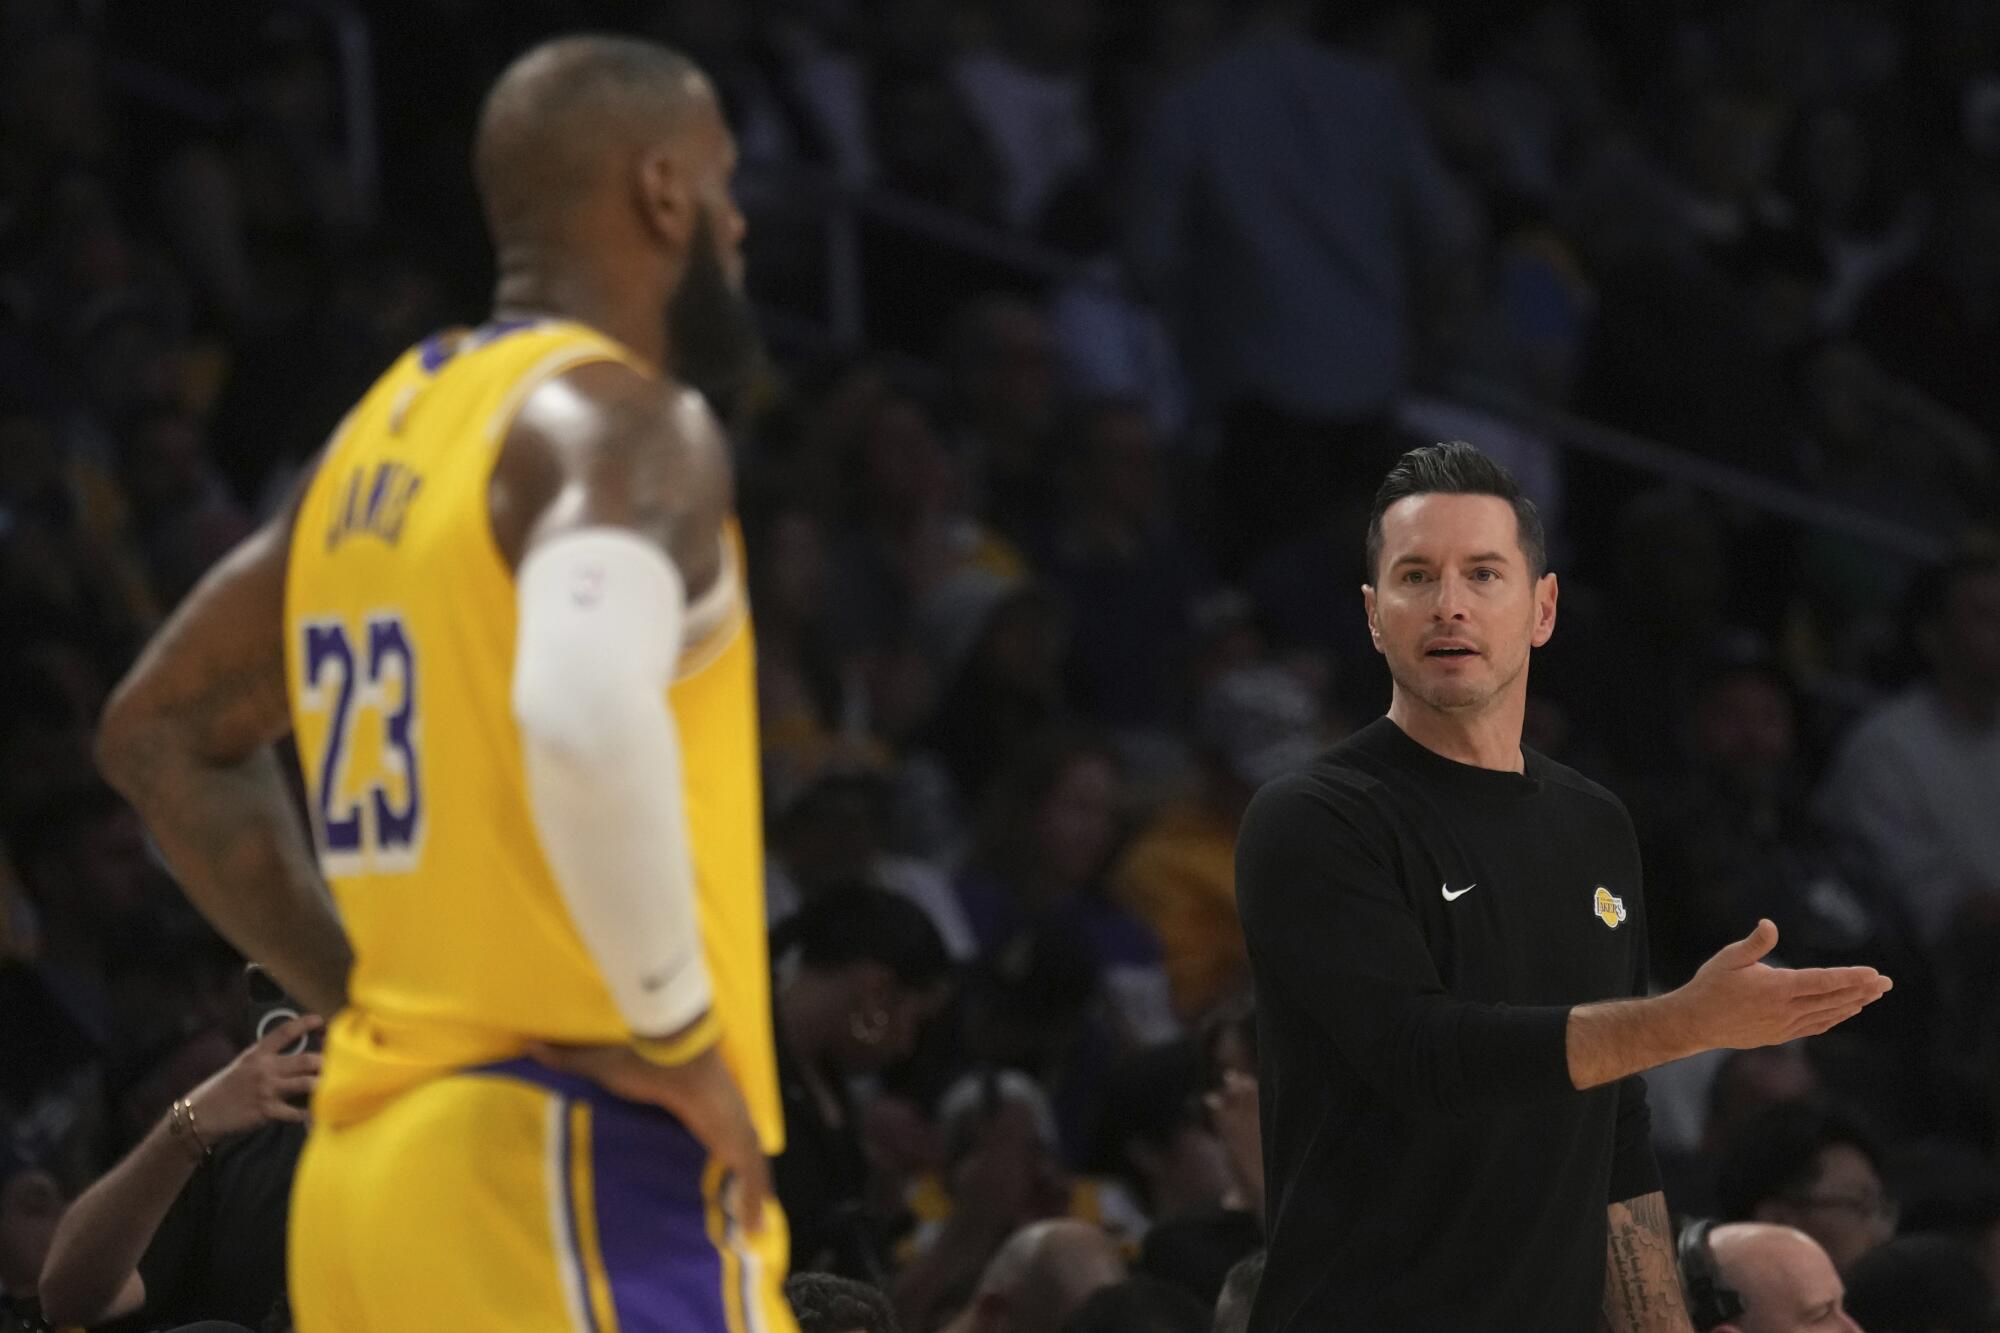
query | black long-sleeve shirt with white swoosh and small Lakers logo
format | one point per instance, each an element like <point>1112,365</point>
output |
<point>1419,932</point>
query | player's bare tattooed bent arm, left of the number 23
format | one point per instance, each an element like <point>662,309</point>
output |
<point>187,740</point>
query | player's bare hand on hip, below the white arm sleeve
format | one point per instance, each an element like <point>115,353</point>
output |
<point>699,1094</point>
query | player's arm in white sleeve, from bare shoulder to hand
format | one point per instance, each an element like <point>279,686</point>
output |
<point>611,501</point>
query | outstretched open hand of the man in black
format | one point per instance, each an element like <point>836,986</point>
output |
<point>1741,1002</point>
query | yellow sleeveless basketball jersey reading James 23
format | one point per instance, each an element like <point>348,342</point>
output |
<point>401,653</point>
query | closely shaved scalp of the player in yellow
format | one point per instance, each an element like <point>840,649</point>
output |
<point>571,119</point>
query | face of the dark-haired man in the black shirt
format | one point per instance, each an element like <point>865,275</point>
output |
<point>1457,605</point>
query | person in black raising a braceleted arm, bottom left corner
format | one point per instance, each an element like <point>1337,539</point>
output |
<point>193,1222</point>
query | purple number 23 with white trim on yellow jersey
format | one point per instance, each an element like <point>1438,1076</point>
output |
<point>361,744</point>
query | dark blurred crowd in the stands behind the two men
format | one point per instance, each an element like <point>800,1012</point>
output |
<point>1059,563</point>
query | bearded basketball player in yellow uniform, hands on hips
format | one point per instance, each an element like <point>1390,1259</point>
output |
<point>505,621</point>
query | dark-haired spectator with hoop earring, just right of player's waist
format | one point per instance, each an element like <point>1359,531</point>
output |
<point>859,974</point>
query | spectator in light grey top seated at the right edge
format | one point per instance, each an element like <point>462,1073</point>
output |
<point>1919,780</point>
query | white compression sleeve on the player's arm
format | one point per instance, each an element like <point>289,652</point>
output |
<point>601,623</point>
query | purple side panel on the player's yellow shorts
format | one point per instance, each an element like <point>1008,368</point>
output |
<point>653,1224</point>
